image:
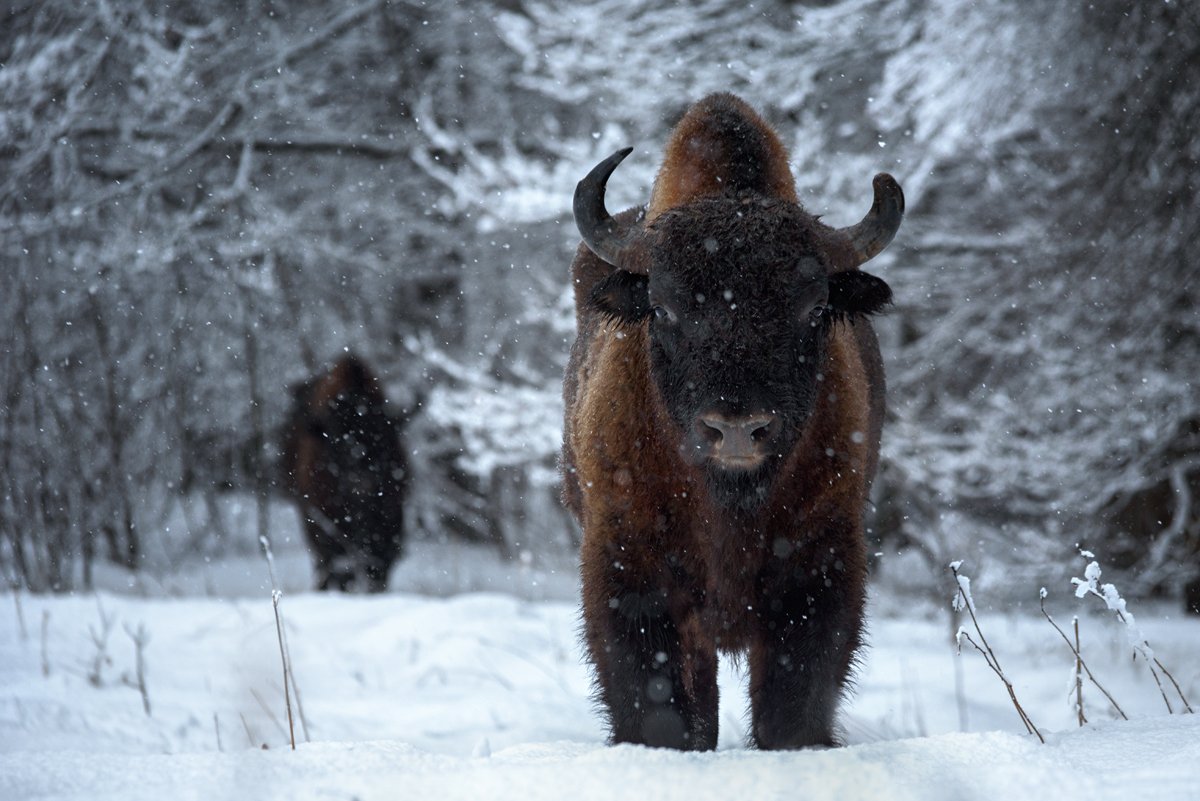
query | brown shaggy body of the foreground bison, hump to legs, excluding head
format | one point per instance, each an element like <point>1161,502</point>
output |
<point>670,577</point>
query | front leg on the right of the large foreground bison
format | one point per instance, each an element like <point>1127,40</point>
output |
<point>809,628</point>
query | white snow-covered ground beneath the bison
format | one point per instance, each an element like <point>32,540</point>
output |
<point>467,682</point>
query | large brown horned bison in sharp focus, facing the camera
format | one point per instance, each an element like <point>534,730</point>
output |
<point>724,403</point>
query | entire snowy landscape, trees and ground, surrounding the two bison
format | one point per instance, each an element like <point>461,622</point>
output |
<point>207,203</point>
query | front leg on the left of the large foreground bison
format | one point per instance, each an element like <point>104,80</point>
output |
<point>657,678</point>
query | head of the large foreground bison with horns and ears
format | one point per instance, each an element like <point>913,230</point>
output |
<point>740,293</point>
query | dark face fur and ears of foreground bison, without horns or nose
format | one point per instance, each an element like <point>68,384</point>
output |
<point>740,302</point>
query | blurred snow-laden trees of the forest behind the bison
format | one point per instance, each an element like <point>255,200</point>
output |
<point>205,203</point>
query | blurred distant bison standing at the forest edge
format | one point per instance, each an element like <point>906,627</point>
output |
<point>345,466</point>
